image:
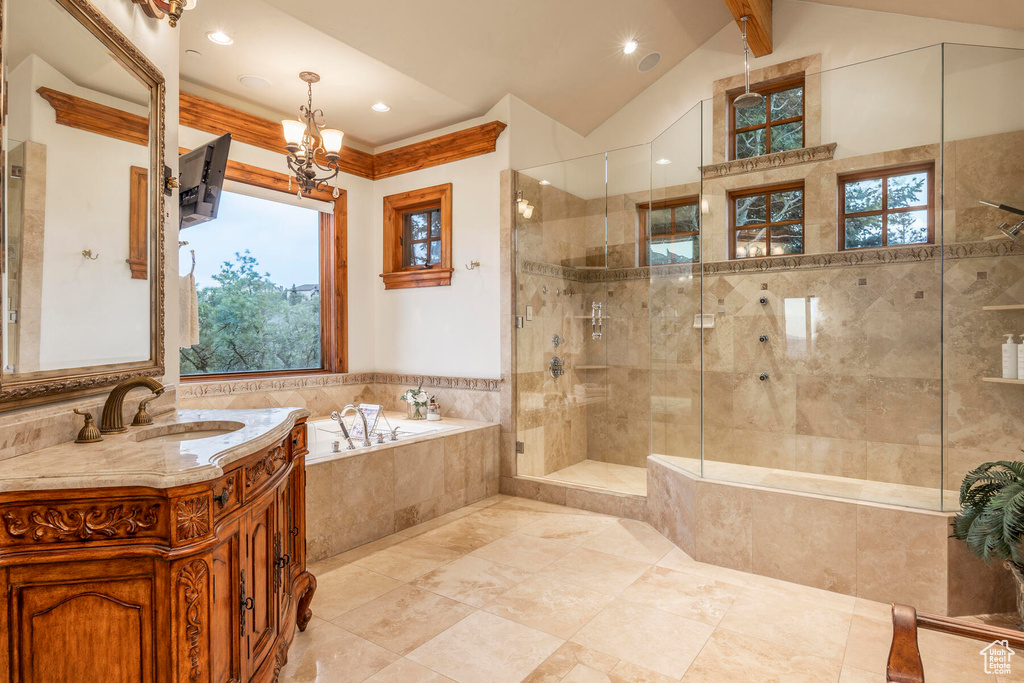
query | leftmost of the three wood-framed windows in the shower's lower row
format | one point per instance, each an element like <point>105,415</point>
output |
<point>670,231</point>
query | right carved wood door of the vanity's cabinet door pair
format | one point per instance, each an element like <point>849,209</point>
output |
<point>261,605</point>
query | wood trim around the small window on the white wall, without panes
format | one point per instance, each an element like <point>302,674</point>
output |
<point>396,276</point>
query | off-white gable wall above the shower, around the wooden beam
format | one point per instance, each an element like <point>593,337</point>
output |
<point>841,35</point>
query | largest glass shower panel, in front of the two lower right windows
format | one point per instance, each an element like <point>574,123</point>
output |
<point>823,270</point>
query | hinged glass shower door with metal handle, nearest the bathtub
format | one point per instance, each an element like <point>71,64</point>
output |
<point>560,239</point>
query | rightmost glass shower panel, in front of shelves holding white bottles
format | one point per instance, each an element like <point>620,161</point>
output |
<point>984,269</point>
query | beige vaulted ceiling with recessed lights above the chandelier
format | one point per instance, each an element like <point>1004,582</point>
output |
<point>445,62</point>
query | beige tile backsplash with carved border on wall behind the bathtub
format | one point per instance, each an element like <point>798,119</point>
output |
<point>471,399</point>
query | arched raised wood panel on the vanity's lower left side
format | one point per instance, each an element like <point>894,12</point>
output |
<point>83,623</point>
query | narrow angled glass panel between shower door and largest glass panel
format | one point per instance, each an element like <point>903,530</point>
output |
<point>671,251</point>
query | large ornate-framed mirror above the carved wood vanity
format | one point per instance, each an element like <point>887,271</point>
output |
<point>82,205</point>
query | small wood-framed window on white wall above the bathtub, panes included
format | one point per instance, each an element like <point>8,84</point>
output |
<point>418,238</point>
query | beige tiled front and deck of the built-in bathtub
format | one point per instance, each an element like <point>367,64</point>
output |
<point>356,497</point>
